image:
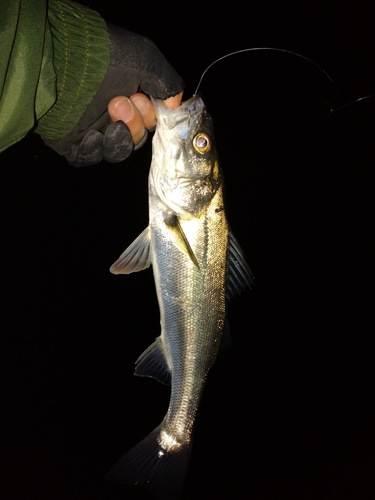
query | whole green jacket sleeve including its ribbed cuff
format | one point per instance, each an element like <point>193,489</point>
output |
<point>54,57</point>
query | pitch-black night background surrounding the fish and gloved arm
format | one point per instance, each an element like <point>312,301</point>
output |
<point>288,412</point>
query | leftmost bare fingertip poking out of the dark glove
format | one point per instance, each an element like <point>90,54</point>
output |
<point>122,108</point>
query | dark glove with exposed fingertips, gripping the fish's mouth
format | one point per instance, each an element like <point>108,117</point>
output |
<point>135,63</point>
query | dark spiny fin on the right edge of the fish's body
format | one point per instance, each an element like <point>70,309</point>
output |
<point>239,275</point>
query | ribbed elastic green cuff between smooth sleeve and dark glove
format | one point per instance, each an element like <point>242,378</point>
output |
<point>81,55</point>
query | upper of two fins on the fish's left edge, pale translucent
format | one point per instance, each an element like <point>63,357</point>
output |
<point>136,257</point>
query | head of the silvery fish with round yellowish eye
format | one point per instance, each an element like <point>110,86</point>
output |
<point>185,168</point>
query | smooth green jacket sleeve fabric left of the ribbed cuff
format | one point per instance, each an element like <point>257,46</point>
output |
<point>22,37</point>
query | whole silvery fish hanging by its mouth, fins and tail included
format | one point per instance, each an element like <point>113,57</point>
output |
<point>198,266</point>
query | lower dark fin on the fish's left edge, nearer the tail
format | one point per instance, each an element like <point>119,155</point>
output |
<point>152,363</point>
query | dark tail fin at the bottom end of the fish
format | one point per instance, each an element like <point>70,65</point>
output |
<point>162,472</point>
